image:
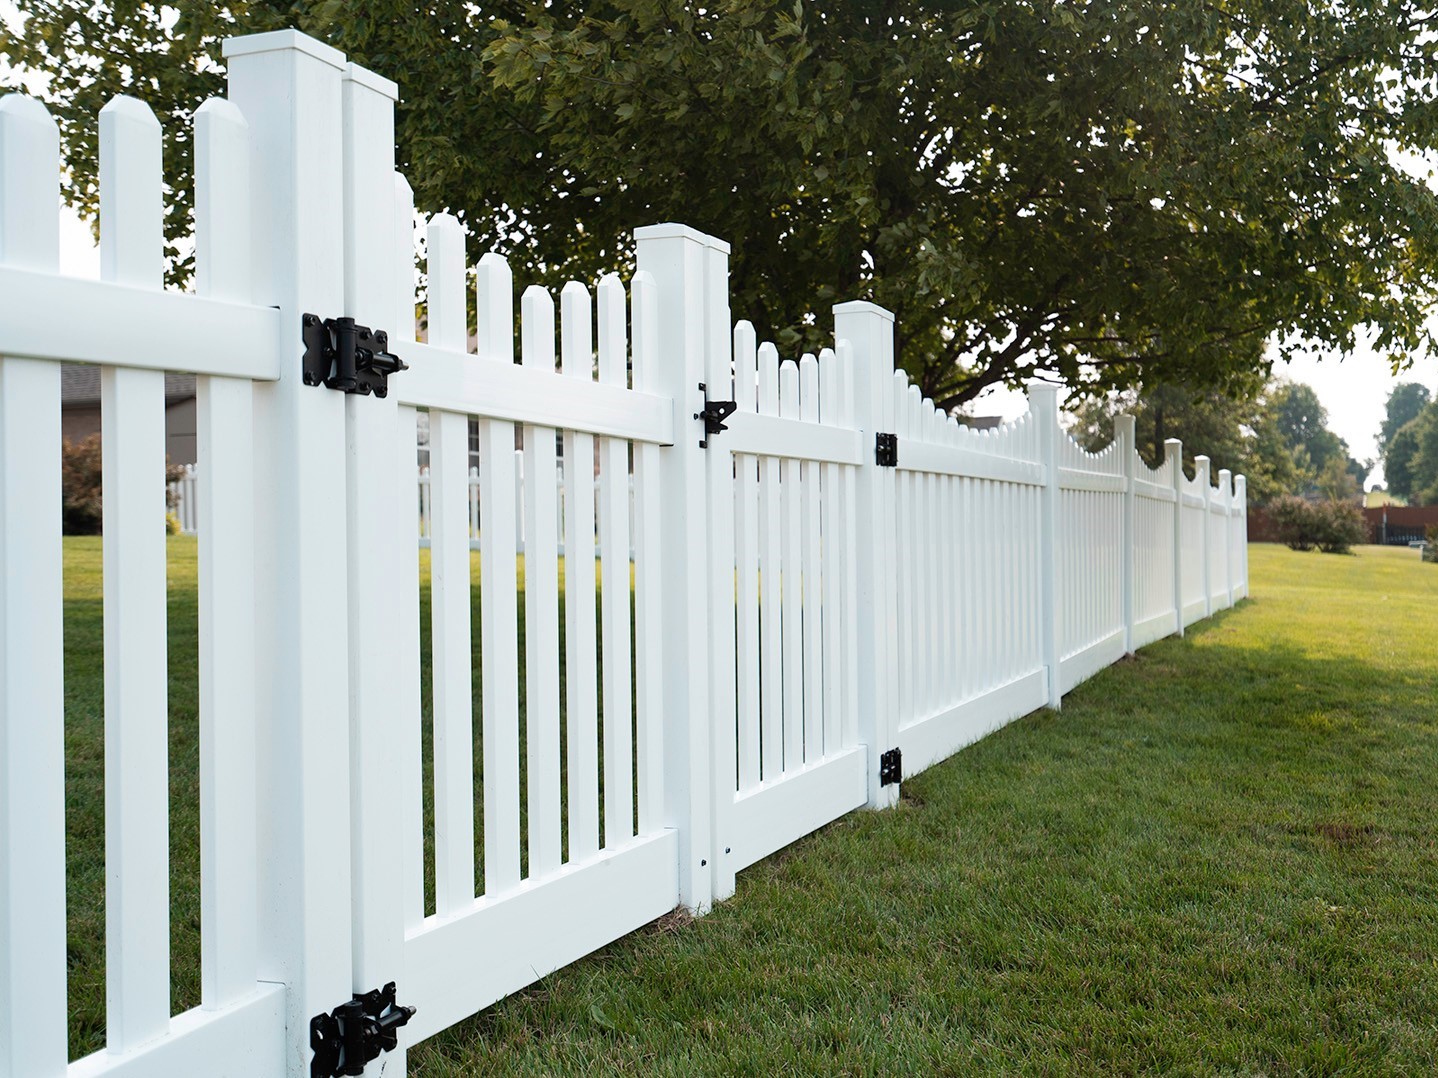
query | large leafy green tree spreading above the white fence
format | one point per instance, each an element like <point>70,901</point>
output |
<point>1111,193</point>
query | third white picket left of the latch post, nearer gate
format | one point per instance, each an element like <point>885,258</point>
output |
<point>582,685</point>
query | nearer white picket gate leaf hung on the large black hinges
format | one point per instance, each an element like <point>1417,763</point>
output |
<point>570,850</point>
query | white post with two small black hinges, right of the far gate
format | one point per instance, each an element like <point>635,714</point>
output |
<point>871,334</point>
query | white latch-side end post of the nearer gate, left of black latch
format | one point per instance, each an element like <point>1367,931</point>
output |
<point>678,259</point>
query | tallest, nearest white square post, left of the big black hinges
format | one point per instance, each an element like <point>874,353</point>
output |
<point>288,88</point>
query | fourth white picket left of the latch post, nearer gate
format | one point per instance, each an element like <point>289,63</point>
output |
<point>541,603</point>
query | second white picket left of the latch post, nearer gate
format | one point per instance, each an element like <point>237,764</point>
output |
<point>615,544</point>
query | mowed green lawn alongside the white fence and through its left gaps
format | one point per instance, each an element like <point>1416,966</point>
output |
<point>1219,859</point>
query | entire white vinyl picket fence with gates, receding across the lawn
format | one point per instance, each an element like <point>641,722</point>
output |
<point>826,589</point>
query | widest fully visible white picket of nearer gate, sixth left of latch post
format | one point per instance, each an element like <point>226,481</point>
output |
<point>451,635</point>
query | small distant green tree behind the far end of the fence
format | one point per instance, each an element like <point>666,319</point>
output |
<point>1239,433</point>
